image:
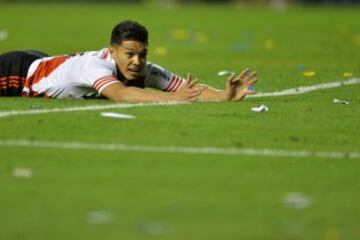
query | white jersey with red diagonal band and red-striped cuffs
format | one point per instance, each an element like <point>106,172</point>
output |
<point>87,74</point>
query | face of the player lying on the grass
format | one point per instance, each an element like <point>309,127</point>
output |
<point>130,58</point>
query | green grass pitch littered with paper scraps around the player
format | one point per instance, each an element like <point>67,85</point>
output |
<point>95,194</point>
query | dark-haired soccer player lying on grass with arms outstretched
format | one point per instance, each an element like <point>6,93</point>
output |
<point>120,73</point>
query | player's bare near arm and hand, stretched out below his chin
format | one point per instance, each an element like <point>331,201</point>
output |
<point>118,92</point>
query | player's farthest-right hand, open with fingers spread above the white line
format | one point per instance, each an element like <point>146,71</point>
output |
<point>237,86</point>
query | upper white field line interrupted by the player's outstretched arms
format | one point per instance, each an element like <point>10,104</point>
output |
<point>291,91</point>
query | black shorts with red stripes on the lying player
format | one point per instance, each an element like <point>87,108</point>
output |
<point>13,70</point>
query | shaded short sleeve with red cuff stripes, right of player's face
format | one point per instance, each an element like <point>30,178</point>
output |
<point>159,78</point>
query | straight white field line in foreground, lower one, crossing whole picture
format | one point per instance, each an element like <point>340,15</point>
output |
<point>177,149</point>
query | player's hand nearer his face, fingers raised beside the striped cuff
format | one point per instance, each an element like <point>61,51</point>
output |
<point>189,91</point>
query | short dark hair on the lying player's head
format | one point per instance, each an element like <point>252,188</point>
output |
<point>128,31</point>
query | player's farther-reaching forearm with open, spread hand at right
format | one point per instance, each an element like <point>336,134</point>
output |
<point>236,88</point>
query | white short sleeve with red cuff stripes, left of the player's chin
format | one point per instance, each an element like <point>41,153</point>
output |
<point>99,73</point>
